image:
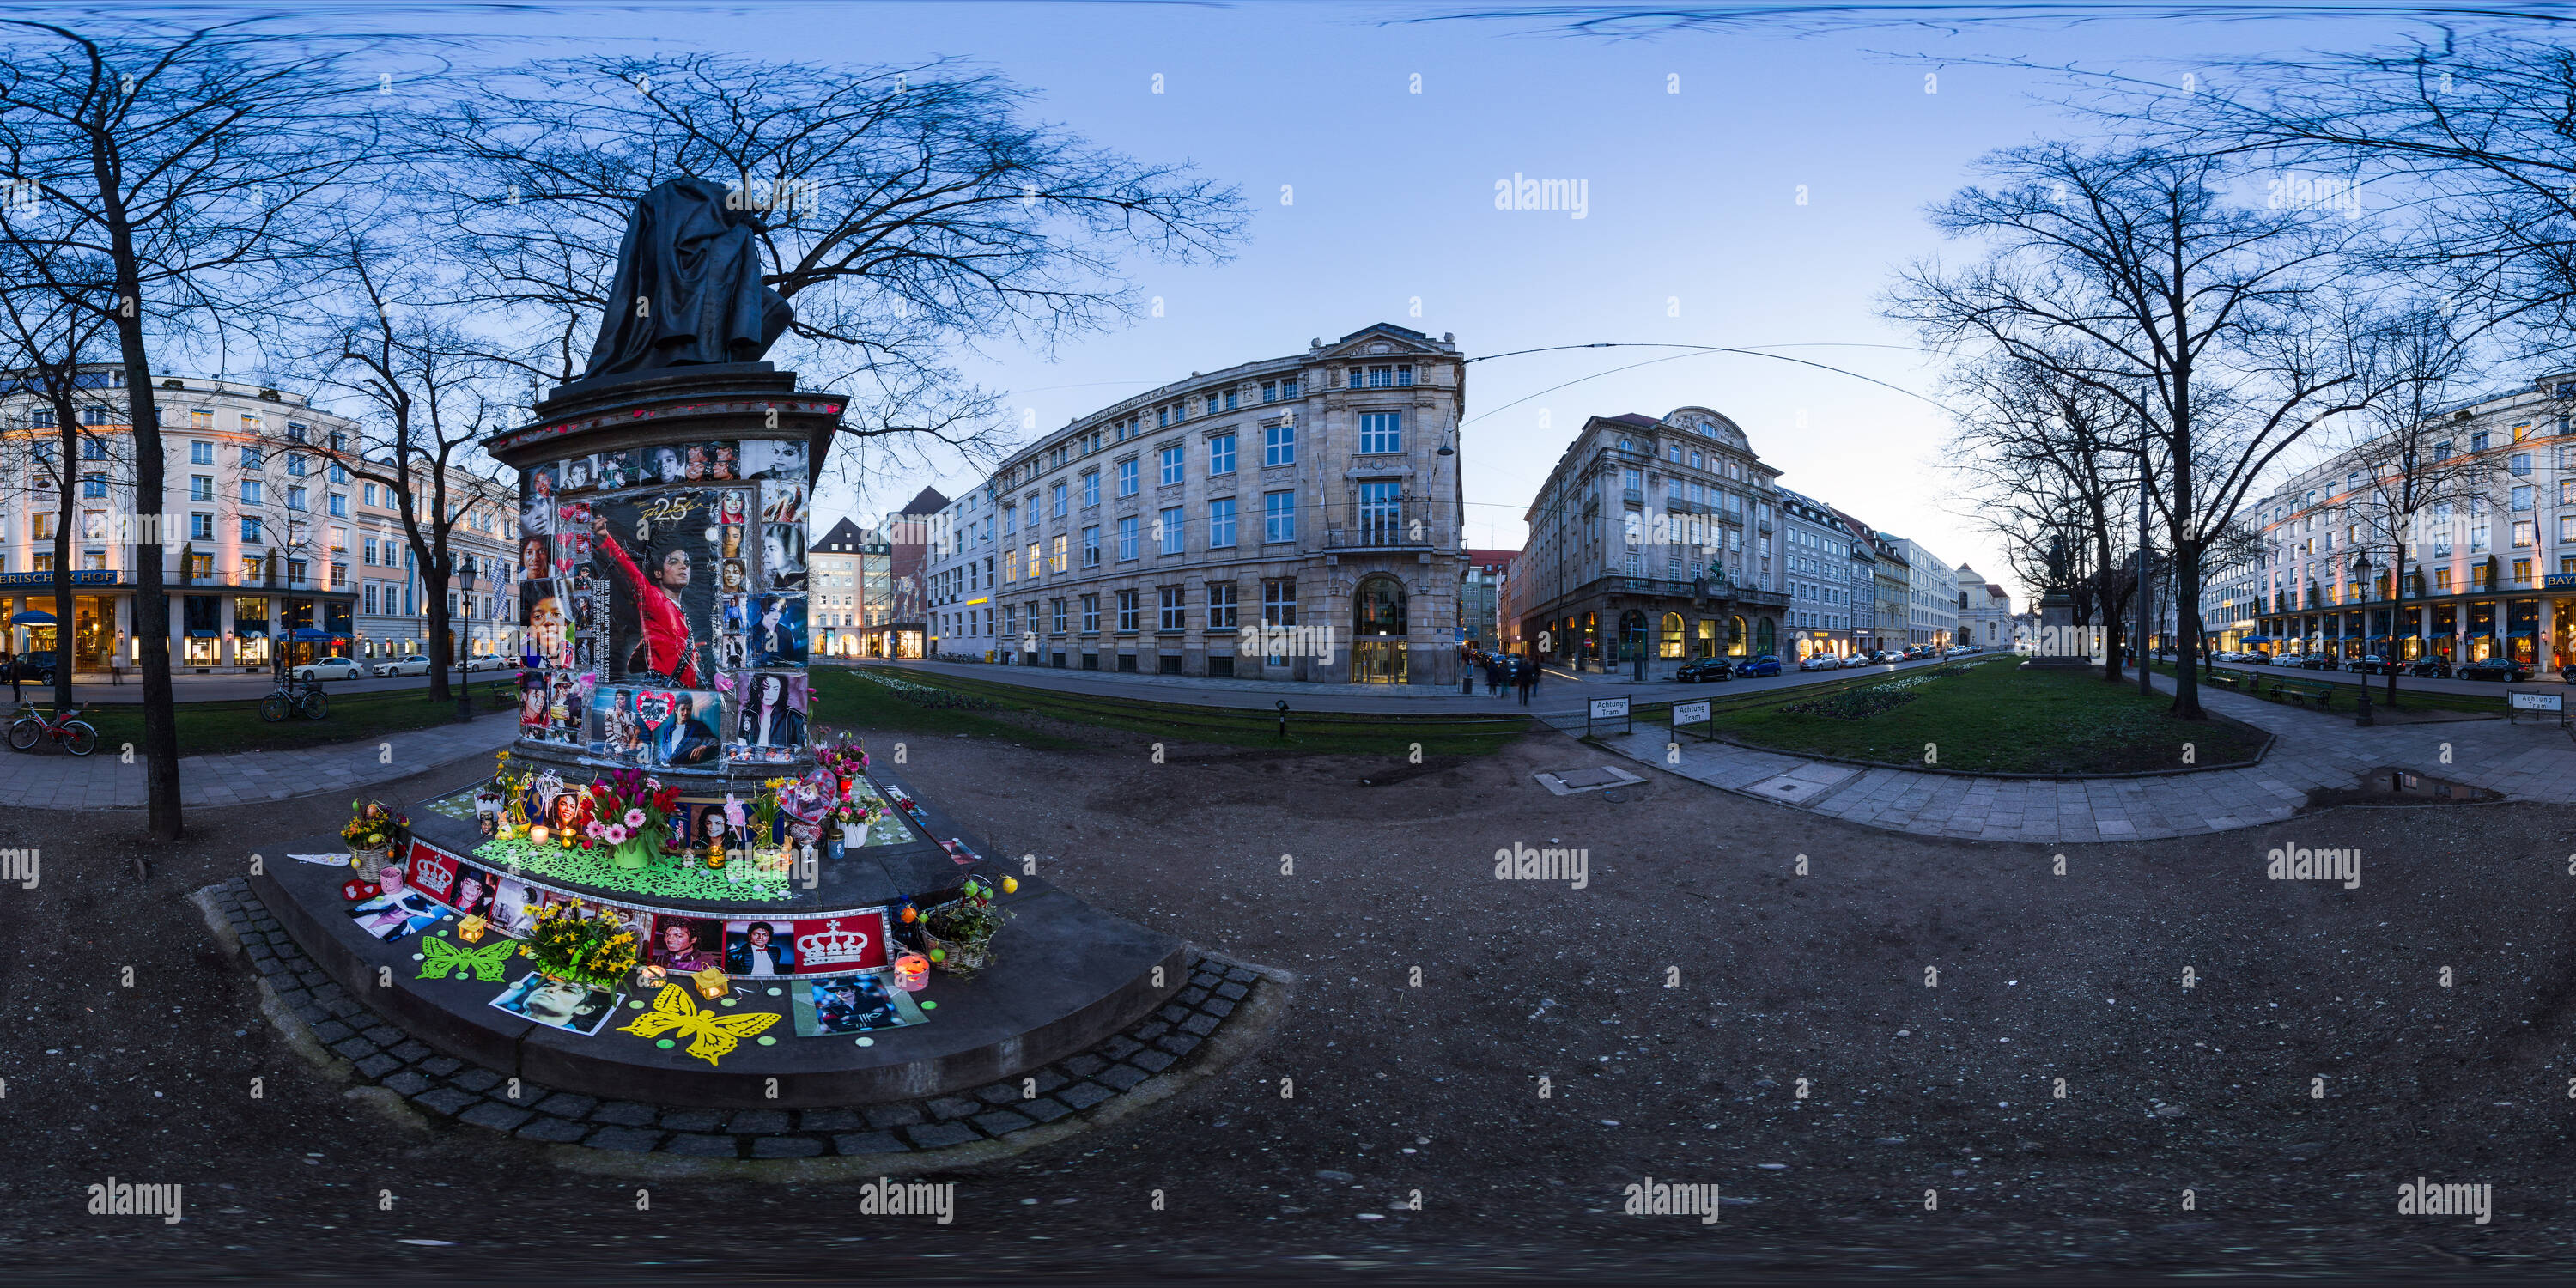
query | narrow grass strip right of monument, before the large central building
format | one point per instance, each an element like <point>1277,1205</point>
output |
<point>905,702</point>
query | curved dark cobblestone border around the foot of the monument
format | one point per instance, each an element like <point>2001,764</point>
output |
<point>1137,1065</point>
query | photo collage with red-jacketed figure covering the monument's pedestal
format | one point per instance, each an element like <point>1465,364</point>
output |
<point>666,604</point>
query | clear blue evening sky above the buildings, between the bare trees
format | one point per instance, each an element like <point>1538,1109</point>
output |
<point>1694,231</point>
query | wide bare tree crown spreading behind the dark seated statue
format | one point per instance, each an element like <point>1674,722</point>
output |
<point>905,213</point>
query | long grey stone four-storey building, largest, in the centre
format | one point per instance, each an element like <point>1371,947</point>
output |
<point>1310,496</point>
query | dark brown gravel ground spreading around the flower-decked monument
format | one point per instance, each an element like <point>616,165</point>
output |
<point>1560,1045</point>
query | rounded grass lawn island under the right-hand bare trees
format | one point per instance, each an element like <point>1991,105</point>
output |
<point>1990,717</point>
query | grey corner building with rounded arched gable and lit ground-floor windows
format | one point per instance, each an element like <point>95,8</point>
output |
<point>1653,542</point>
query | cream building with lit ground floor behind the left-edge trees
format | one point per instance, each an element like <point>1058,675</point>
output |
<point>269,542</point>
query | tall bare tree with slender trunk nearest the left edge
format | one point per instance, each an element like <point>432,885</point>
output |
<point>189,166</point>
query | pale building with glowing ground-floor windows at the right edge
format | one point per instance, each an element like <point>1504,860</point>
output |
<point>2490,573</point>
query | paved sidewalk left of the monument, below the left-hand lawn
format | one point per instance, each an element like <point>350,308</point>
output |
<point>107,782</point>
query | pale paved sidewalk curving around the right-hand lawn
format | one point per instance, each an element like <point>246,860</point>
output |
<point>2315,751</point>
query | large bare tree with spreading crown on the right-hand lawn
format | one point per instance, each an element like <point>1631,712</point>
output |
<point>2134,274</point>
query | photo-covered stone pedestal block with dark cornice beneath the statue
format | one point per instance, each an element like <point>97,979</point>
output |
<point>674,643</point>
